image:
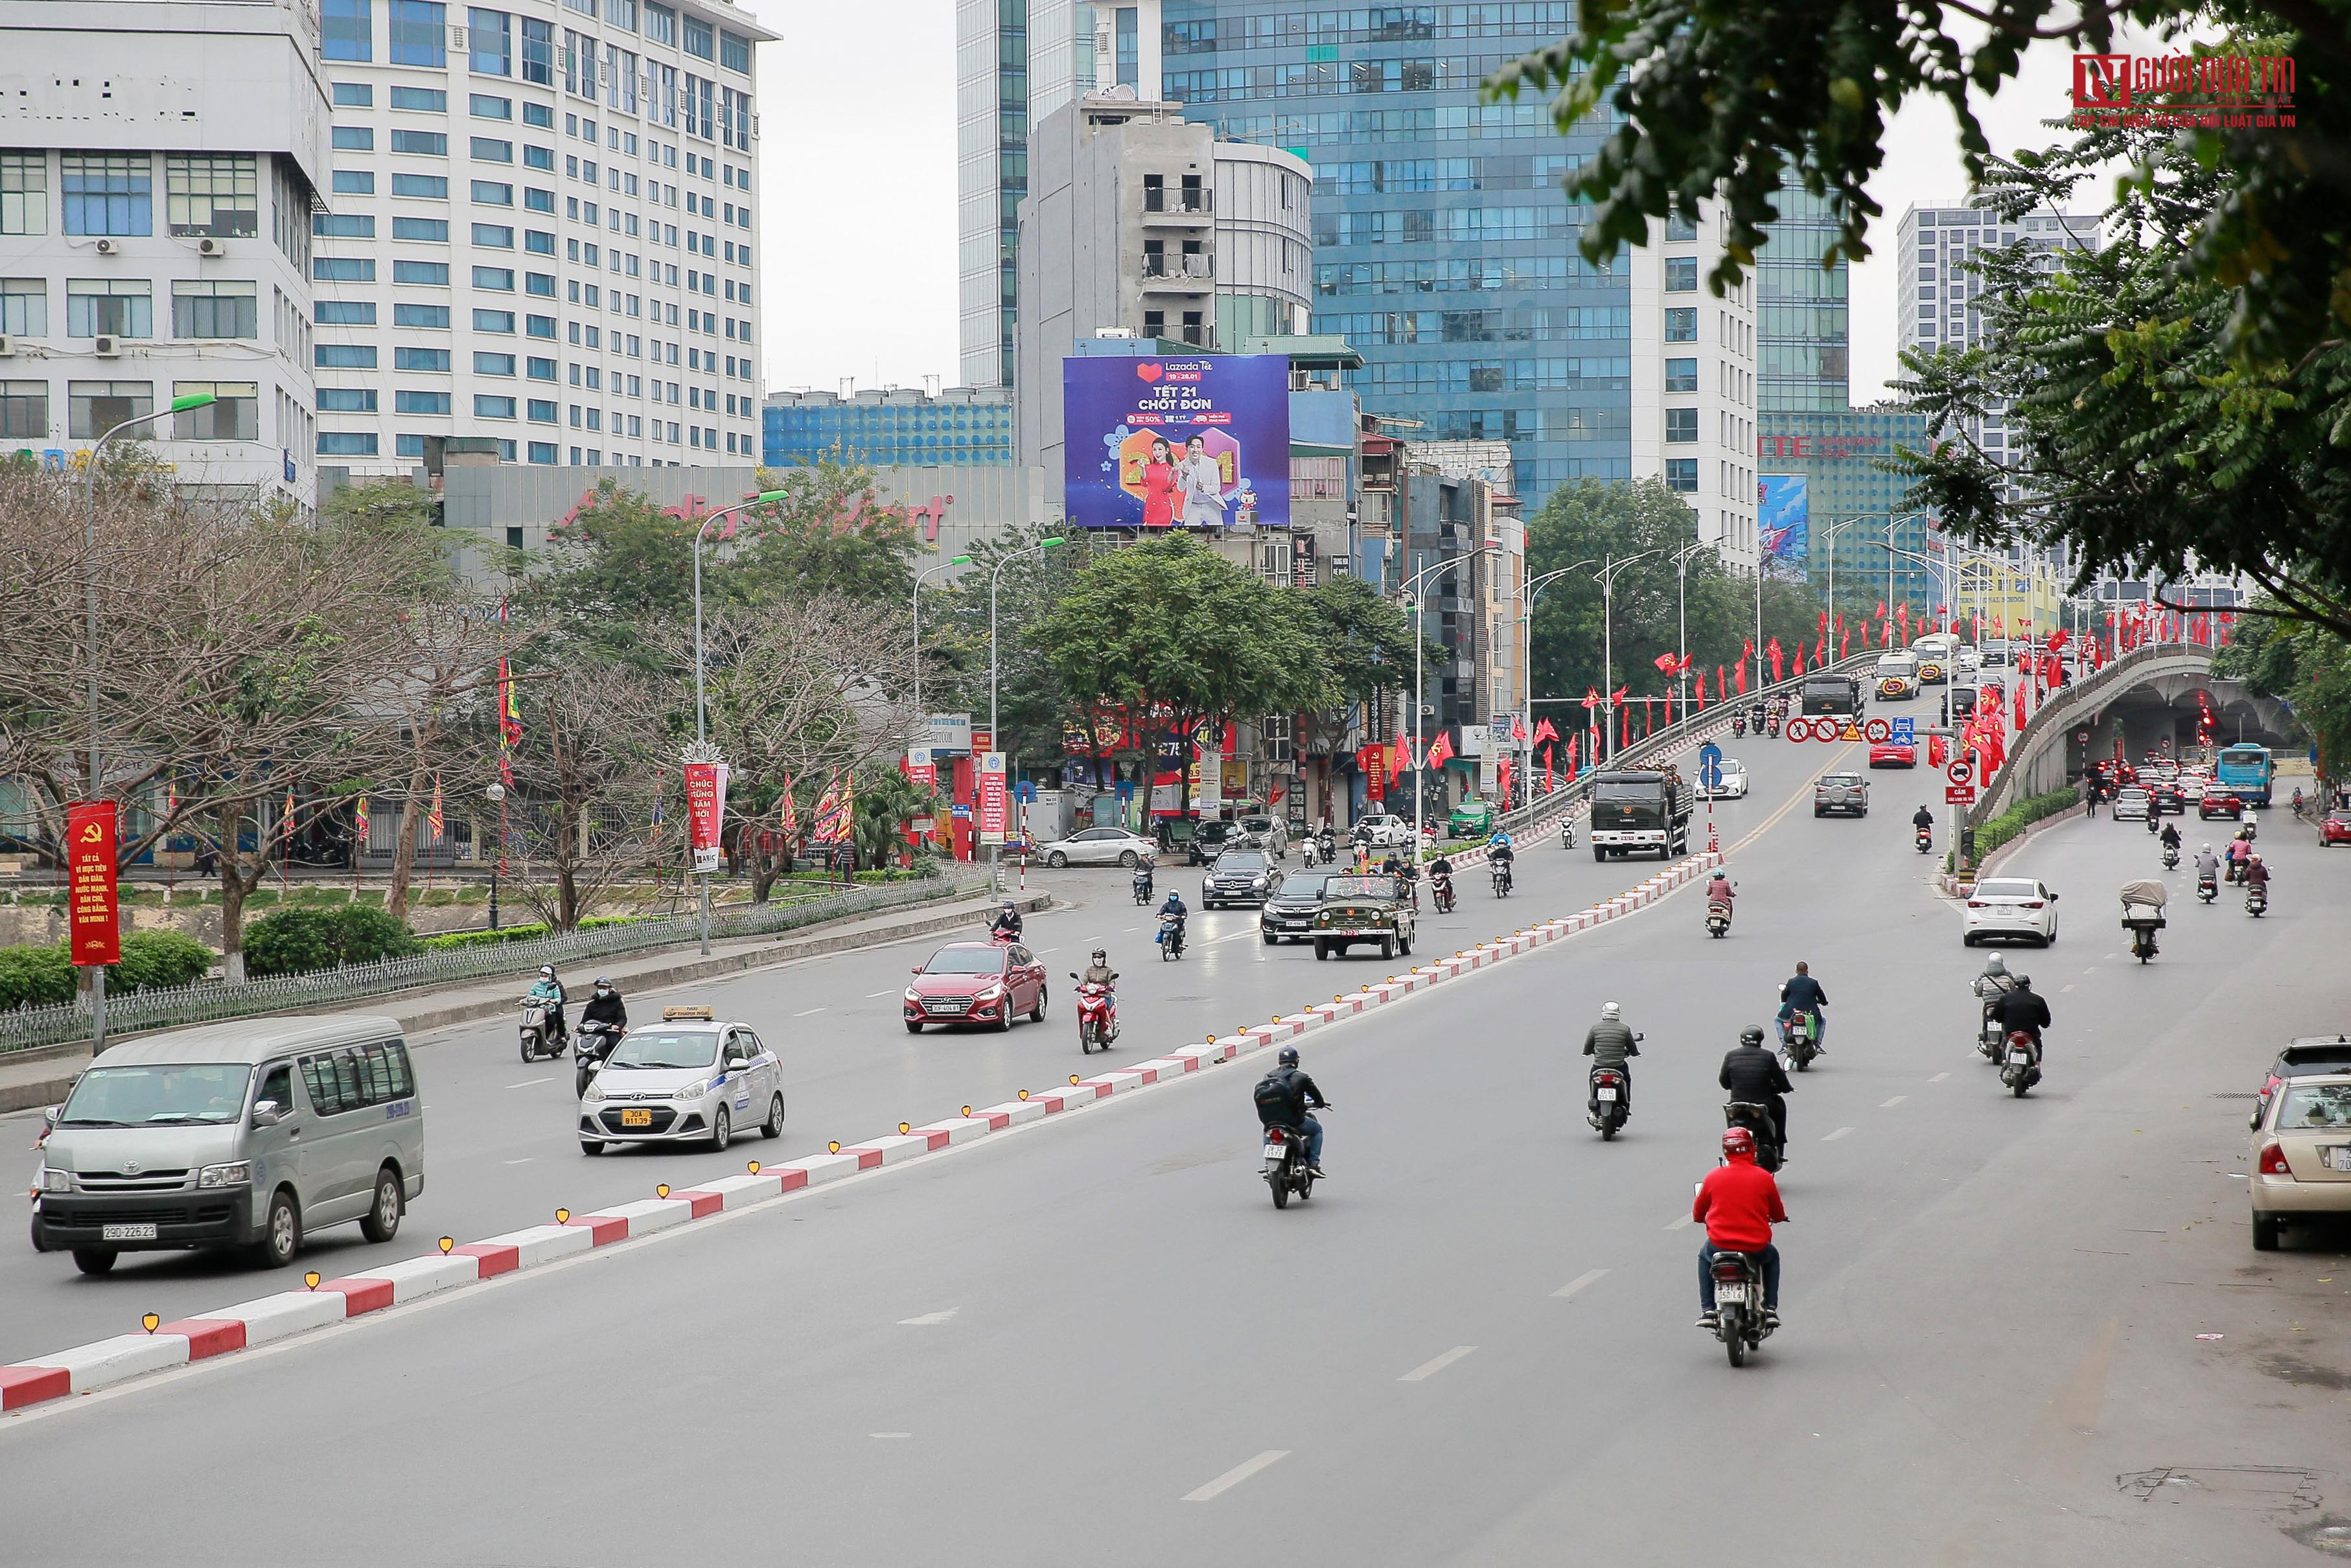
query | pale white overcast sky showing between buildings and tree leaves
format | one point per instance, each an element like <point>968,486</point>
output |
<point>857,130</point>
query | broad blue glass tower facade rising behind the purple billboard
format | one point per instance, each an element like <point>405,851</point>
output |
<point>1445,248</point>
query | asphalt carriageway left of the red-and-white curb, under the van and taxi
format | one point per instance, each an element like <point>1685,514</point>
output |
<point>502,1146</point>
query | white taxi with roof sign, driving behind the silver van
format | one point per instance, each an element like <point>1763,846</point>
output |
<point>685,1080</point>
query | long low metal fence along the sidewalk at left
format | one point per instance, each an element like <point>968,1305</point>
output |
<point>215,1000</point>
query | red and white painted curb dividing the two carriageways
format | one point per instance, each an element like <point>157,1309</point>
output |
<point>88,1369</point>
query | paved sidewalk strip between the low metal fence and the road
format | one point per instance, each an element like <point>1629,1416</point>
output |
<point>43,1078</point>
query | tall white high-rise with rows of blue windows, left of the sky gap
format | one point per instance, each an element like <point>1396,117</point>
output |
<point>542,227</point>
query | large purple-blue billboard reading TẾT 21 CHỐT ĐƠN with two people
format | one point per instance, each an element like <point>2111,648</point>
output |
<point>1177,443</point>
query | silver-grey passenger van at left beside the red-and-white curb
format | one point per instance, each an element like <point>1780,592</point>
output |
<point>234,1134</point>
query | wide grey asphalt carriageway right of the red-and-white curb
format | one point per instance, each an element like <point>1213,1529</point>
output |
<point>1097,1341</point>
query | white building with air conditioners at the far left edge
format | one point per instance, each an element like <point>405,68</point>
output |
<point>156,213</point>
